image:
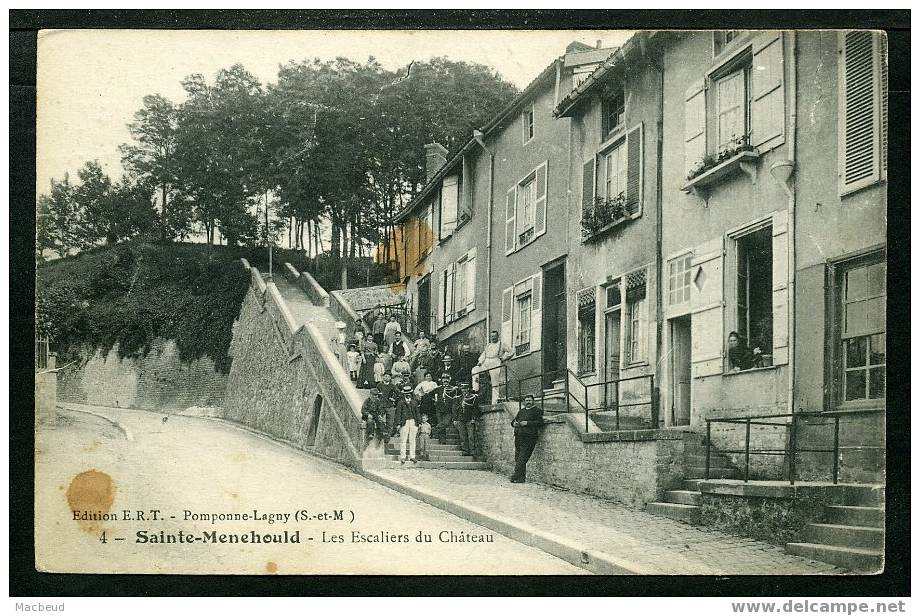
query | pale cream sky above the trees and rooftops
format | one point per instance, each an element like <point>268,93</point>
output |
<point>91,82</point>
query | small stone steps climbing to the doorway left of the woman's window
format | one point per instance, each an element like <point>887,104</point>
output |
<point>684,504</point>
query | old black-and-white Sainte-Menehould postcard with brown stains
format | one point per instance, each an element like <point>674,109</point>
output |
<point>461,302</point>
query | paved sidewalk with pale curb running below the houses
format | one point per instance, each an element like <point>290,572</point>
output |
<point>596,534</point>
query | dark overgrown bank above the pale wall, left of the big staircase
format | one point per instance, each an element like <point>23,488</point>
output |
<point>134,292</point>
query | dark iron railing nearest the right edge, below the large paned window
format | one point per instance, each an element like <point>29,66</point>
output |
<point>792,448</point>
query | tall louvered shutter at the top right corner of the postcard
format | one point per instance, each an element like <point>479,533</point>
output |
<point>859,108</point>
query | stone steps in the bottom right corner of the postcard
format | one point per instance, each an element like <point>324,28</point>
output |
<point>852,536</point>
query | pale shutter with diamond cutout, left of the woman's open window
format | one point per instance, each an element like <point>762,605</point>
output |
<point>706,301</point>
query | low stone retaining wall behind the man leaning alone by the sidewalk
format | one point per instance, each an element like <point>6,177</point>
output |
<point>633,468</point>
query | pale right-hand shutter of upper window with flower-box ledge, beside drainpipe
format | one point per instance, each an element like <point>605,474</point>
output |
<point>768,107</point>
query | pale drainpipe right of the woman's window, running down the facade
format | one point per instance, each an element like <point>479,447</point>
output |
<point>782,170</point>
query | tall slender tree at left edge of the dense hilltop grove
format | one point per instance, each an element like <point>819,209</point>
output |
<point>150,159</point>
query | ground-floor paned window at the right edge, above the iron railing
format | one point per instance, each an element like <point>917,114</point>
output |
<point>862,292</point>
